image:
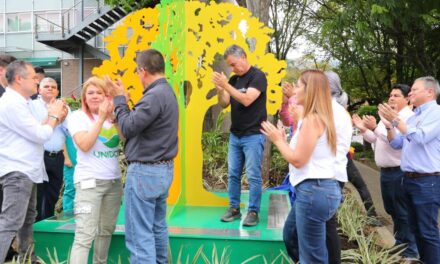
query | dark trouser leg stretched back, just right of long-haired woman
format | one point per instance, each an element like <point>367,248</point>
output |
<point>355,177</point>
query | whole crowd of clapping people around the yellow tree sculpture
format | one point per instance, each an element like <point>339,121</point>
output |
<point>43,143</point>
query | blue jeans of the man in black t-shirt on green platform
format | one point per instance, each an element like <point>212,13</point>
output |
<point>246,150</point>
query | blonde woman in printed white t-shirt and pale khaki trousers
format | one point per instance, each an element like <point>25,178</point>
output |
<point>97,174</point>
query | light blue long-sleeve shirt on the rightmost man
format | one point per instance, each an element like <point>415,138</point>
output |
<point>421,144</point>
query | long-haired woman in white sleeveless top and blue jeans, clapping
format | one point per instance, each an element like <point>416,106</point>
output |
<point>312,157</point>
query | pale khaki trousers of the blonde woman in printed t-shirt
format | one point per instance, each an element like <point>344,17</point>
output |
<point>96,212</point>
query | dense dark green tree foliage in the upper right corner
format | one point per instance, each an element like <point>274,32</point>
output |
<point>378,42</point>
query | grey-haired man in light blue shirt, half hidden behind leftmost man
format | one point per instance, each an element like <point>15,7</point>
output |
<point>48,192</point>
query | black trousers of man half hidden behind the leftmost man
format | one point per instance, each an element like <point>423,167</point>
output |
<point>48,192</point>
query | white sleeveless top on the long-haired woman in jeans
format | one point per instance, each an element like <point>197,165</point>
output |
<point>321,164</point>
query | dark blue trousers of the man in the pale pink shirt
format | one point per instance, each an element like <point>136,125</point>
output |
<point>394,203</point>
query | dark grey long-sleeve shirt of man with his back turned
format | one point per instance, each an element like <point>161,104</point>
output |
<point>151,126</point>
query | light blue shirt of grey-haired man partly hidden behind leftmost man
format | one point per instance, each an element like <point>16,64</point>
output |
<point>39,111</point>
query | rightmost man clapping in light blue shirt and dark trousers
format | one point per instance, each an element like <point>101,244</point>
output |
<point>419,139</point>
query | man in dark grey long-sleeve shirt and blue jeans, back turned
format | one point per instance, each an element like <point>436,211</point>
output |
<point>151,132</point>
